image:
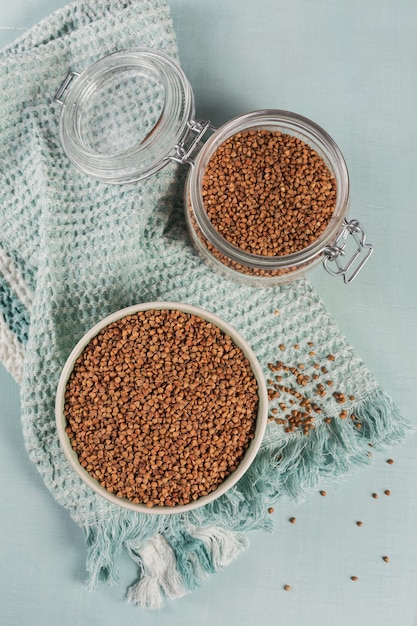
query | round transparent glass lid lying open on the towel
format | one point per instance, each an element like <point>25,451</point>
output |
<point>123,116</point>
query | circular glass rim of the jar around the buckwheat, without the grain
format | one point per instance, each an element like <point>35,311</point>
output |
<point>286,122</point>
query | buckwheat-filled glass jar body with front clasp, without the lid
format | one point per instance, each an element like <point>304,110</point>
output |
<point>267,200</point>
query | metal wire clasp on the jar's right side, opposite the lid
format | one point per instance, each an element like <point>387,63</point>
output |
<point>361,252</point>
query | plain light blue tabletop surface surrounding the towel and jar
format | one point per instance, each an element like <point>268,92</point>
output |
<point>352,67</point>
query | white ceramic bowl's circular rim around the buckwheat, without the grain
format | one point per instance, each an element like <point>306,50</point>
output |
<point>254,444</point>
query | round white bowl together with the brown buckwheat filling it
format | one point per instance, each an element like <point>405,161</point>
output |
<point>161,407</point>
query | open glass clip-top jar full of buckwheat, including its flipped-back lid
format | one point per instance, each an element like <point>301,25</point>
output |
<point>267,193</point>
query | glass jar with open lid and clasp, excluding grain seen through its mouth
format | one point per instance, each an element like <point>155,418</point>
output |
<point>132,112</point>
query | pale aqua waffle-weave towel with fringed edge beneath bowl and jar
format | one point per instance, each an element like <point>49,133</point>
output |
<point>73,250</point>
